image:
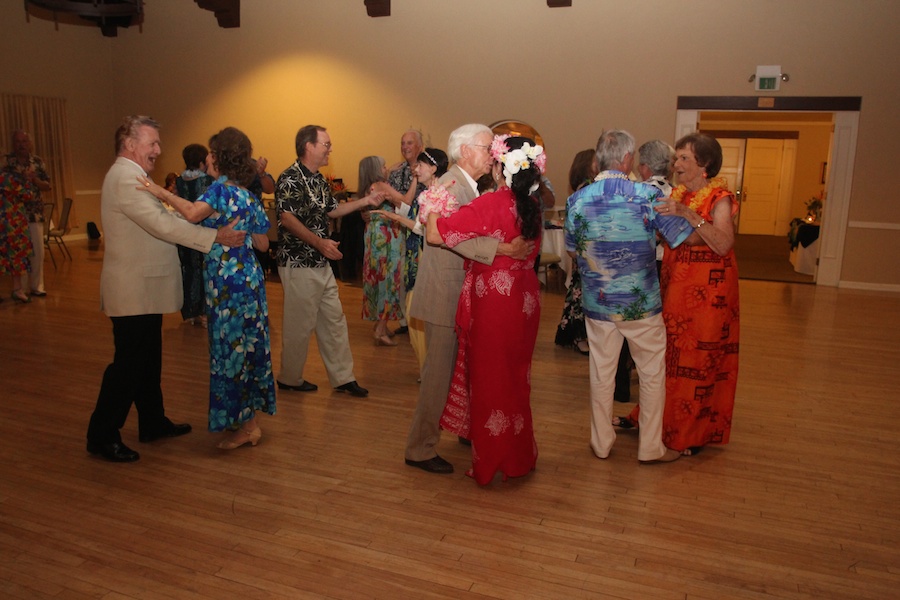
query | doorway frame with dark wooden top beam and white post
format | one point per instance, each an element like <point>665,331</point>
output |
<point>844,113</point>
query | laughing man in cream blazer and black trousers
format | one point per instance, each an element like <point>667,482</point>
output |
<point>140,280</point>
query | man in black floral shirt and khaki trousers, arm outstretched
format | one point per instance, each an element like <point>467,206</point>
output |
<point>311,302</point>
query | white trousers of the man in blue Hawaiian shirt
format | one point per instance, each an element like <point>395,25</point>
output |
<point>647,343</point>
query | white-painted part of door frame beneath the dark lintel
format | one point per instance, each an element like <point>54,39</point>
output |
<point>836,212</point>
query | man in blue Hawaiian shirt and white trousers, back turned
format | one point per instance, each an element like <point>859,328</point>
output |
<point>611,230</point>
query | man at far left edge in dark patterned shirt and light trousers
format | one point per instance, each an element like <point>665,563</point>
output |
<point>30,169</point>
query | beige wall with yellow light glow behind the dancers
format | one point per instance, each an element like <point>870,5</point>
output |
<point>570,72</point>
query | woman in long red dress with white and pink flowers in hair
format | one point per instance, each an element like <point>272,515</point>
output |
<point>497,317</point>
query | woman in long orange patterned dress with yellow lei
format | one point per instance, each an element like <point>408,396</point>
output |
<point>701,307</point>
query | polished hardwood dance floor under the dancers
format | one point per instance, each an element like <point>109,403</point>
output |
<point>802,504</point>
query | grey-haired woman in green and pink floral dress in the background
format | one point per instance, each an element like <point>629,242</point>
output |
<point>382,262</point>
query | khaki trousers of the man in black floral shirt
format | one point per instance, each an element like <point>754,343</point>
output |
<point>312,303</point>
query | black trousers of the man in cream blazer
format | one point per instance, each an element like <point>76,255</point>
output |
<point>132,378</point>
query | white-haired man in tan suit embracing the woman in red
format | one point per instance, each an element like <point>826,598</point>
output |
<point>438,285</point>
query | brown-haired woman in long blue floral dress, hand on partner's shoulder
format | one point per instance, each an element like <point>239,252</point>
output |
<point>241,381</point>
